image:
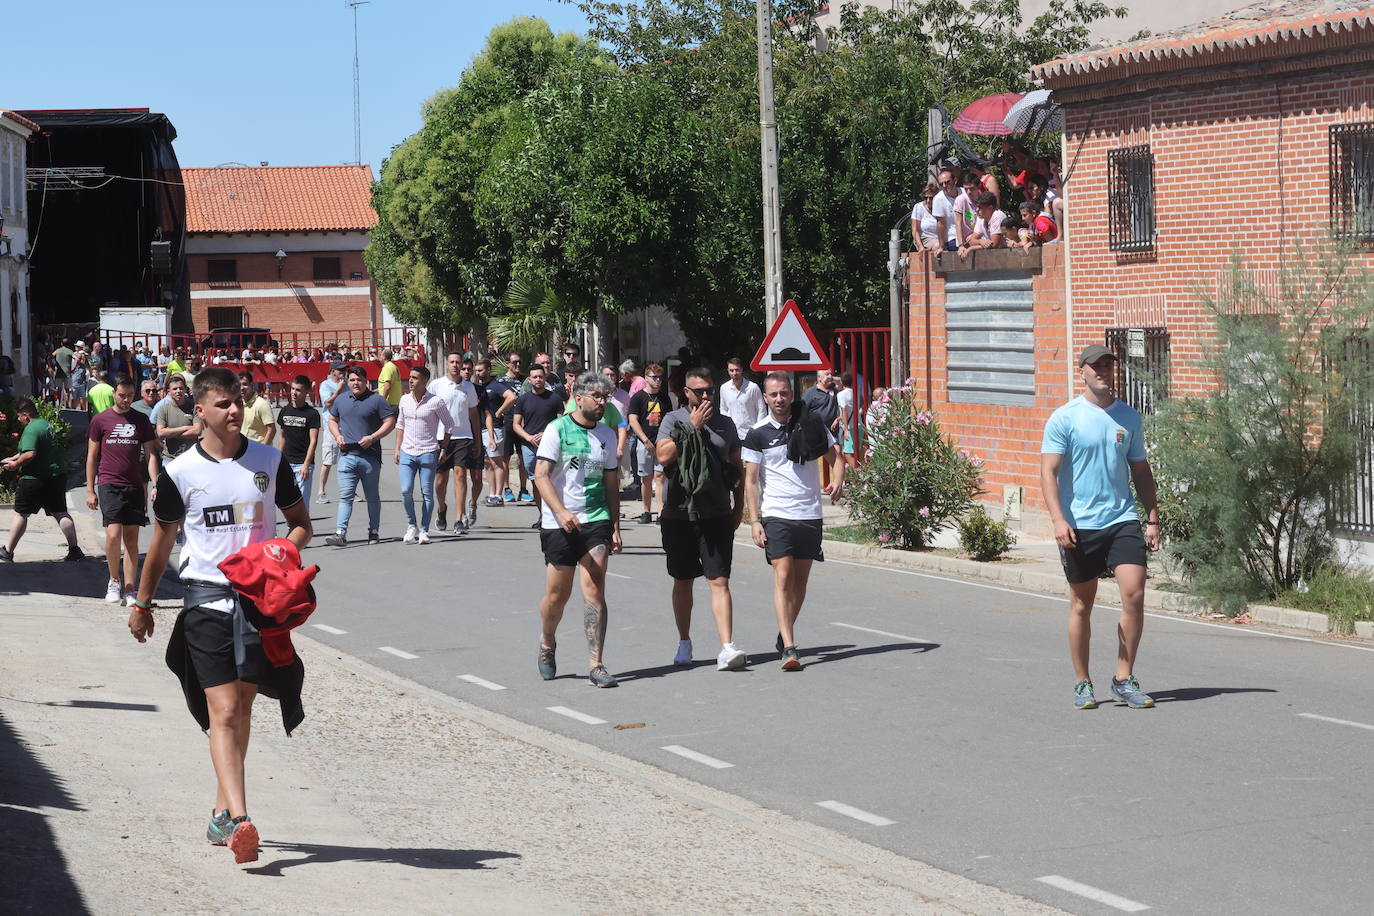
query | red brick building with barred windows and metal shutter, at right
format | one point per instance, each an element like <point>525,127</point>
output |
<point>1254,131</point>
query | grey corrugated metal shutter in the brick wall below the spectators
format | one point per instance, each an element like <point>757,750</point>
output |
<point>990,341</point>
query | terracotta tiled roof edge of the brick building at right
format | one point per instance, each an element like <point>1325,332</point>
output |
<point>1266,23</point>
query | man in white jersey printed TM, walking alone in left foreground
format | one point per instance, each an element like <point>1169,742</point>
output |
<point>225,492</point>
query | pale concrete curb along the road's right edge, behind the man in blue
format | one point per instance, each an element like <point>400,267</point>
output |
<point>1053,584</point>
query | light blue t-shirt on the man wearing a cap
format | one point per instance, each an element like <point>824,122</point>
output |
<point>1096,474</point>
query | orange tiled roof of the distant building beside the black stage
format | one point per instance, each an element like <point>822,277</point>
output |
<point>280,198</point>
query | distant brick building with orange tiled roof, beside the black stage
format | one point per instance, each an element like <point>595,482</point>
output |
<point>281,248</point>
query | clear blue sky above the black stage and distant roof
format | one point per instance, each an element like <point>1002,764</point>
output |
<point>254,80</point>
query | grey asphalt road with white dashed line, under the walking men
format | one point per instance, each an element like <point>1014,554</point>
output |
<point>934,718</point>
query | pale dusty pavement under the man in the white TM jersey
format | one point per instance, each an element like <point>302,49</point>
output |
<point>390,799</point>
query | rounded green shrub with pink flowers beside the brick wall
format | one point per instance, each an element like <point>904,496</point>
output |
<point>916,481</point>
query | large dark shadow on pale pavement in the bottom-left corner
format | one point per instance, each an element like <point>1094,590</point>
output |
<point>36,878</point>
